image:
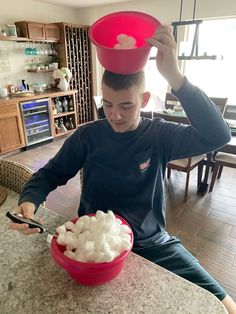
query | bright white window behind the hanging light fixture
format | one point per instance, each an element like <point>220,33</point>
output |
<point>215,77</point>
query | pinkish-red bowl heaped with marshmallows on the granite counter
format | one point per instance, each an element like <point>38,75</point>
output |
<point>93,248</point>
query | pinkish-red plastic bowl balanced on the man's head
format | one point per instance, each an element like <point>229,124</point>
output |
<point>103,34</point>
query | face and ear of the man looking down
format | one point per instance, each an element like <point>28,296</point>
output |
<point>122,108</point>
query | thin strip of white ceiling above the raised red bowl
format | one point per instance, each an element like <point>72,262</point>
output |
<point>81,3</point>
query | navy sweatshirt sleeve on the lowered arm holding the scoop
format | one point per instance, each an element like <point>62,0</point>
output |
<point>63,166</point>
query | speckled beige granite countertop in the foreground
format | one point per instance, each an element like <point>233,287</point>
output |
<point>31,282</point>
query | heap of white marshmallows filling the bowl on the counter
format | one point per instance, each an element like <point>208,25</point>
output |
<point>99,238</point>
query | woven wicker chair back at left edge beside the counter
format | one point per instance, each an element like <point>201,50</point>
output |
<point>14,175</point>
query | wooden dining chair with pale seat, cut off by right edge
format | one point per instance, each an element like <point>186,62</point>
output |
<point>221,160</point>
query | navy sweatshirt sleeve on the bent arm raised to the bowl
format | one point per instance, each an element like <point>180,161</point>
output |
<point>207,131</point>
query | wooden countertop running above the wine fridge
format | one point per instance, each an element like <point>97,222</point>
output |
<point>37,95</point>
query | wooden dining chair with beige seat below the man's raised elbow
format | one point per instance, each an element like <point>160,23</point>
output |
<point>187,164</point>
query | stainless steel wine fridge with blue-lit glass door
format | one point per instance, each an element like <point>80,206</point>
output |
<point>36,120</point>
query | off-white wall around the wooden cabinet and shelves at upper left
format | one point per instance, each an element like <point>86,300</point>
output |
<point>28,10</point>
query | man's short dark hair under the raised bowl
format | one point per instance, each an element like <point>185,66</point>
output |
<point>121,81</point>
